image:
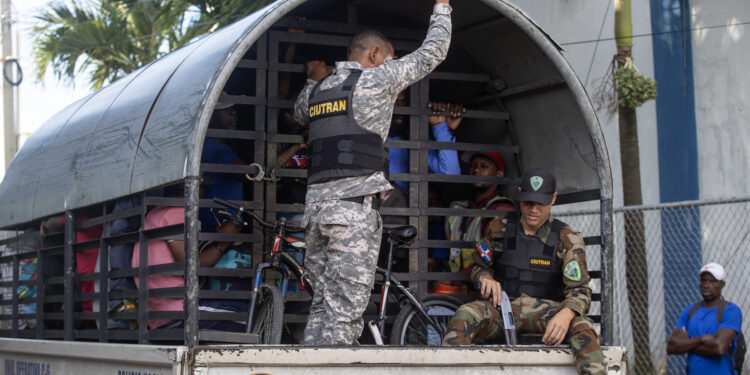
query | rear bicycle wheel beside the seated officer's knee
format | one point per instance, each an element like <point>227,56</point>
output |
<point>412,328</point>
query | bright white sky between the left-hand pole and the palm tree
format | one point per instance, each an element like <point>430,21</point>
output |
<point>38,101</point>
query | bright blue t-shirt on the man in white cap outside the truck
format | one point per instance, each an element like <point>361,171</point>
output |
<point>704,322</point>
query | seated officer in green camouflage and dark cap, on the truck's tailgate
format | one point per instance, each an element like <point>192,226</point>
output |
<point>528,255</point>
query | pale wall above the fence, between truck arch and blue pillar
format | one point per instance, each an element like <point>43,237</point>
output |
<point>570,22</point>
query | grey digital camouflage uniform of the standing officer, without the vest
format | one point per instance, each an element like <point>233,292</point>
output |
<point>343,238</point>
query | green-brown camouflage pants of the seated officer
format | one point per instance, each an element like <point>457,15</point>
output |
<point>478,321</point>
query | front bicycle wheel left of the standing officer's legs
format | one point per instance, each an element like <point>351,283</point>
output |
<point>269,315</point>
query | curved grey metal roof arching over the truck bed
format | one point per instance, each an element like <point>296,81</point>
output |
<point>147,129</point>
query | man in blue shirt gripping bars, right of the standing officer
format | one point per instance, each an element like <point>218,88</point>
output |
<point>442,128</point>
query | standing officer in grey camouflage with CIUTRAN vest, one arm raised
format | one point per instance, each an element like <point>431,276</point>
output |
<point>349,114</point>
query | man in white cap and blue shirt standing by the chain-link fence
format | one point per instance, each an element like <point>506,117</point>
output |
<point>709,342</point>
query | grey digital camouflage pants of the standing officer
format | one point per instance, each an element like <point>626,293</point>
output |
<point>343,240</point>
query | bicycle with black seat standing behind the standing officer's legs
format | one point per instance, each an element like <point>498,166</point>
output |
<point>419,322</point>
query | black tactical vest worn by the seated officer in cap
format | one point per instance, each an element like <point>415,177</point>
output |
<point>528,266</point>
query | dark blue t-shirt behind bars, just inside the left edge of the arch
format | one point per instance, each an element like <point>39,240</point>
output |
<point>219,185</point>
